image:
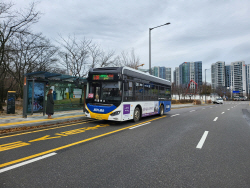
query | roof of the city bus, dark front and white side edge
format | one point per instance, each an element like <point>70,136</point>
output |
<point>130,72</point>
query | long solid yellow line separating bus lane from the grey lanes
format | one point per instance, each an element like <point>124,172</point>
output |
<point>72,144</point>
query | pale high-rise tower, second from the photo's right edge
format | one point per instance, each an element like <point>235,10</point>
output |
<point>238,81</point>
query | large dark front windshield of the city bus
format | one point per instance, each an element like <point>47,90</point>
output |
<point>105,92</point>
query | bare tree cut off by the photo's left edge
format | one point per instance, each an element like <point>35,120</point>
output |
<point>12,23</point>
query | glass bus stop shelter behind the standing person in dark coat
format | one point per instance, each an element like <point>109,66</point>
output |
<point>69,92</point>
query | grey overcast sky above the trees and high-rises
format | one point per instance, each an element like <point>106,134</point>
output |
<point>200,30</point>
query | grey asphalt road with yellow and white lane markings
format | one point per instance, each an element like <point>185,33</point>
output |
<point>203,146</point>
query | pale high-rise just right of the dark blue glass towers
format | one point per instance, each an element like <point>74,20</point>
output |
<point>218,74</point>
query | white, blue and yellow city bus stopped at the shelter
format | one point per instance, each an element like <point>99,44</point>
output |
<point>123,93</point>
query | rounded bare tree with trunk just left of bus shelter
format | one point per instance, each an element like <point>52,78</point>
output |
<point>28,54</point>
